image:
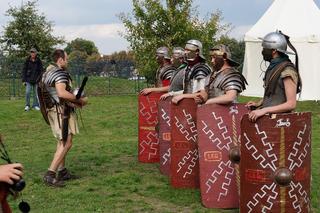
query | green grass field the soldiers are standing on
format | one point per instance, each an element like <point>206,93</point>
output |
<point>105,156</point>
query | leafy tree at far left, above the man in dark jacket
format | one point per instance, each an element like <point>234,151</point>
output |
<point>28,29</point>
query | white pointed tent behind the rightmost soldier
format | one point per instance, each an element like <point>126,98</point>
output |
<point>300,20</point>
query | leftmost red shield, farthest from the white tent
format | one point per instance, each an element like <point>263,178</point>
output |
<point>148,148</point>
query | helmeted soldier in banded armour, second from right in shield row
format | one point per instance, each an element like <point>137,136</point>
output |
<point>225,83</point>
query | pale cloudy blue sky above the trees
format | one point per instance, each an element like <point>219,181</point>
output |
<point>97,20</point>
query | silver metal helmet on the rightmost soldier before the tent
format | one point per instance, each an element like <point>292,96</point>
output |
<point>276,41</point>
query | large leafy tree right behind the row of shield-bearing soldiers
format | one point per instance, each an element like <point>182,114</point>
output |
<point>156,23</point>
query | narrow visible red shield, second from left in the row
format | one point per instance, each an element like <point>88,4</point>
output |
<point>164,112</point>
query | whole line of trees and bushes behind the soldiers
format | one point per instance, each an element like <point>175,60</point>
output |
<point>151,24</point>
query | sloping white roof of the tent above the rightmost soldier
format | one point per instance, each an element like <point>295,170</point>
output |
<point>298,18</point>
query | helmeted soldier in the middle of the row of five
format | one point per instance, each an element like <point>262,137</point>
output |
<point>195,72</point>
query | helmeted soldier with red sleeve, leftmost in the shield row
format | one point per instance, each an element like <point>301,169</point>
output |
<point>164,72</point>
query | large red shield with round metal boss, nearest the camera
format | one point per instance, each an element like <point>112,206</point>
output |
<point>275,165</point>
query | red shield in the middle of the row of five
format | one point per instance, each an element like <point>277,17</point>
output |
<point>184,149</point>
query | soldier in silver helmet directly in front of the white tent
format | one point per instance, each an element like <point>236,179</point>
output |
<point>281,81</point>
